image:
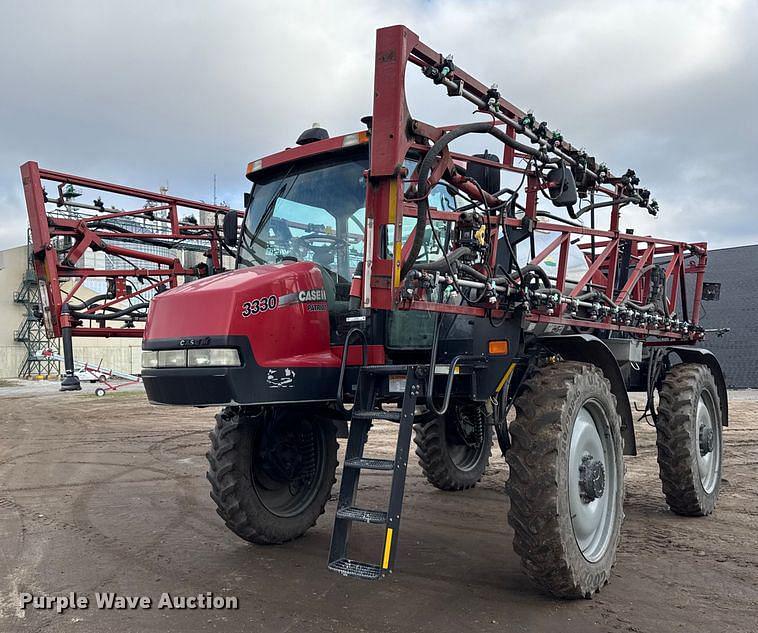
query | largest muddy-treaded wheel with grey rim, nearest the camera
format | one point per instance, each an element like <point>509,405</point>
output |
<point>566,481</point>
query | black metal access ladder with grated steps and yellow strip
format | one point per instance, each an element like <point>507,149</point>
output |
<point>364,411</point>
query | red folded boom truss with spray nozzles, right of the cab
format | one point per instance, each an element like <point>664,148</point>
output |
<point>394,133</point>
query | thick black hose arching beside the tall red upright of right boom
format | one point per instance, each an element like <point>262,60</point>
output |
<point>425,168</point>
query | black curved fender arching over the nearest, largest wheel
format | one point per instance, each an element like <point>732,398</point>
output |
<point>590,349</point>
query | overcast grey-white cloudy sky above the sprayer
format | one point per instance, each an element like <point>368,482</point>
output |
<point>155,93</point>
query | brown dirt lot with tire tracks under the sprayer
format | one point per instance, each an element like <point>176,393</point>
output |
<point>109,494</point>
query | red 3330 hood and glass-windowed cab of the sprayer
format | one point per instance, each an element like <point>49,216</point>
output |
<point>265,332</point>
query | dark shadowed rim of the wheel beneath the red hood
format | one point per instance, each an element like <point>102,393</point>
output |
<point>288,466</point>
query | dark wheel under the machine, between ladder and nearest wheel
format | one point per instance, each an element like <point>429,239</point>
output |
<point>453,450</point>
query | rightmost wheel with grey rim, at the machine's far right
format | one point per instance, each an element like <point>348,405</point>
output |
<point>689,440</point>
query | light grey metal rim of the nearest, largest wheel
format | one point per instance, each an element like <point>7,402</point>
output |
<point>593,481</point>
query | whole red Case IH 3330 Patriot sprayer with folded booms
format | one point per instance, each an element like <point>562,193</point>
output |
<point>384,270</point>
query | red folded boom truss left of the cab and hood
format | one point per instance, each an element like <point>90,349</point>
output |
<point>60,243</point>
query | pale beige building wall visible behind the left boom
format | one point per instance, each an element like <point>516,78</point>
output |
<point>122,354</point>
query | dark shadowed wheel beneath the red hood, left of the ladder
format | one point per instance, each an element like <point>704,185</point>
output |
<point>271,475</point>
